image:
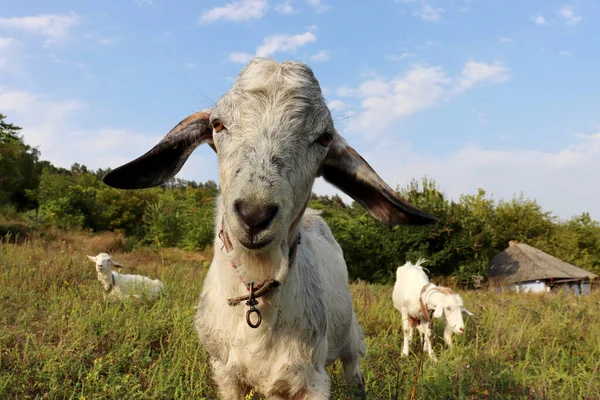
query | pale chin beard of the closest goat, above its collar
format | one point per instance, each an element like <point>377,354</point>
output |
<point>257,266</point>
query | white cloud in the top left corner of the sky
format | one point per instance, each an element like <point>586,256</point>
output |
<point>54,27</point>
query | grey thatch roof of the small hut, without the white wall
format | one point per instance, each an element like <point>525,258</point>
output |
<point>523,263</point>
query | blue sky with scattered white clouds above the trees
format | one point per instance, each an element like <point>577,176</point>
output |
<point>494,94</point>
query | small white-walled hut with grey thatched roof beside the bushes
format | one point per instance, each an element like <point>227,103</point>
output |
<point>527,268</point>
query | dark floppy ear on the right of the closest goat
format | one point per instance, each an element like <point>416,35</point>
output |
<point>346,169</point>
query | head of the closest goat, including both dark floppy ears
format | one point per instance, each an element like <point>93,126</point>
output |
<point>273,135</point>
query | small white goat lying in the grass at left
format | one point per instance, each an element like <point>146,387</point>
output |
<point>119,286</point>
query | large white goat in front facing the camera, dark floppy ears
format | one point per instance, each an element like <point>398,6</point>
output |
<point>273,135</point>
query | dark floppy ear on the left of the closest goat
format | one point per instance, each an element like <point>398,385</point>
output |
<point>165,159</point>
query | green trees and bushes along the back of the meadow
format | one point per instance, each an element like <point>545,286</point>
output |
<point>36,196</point>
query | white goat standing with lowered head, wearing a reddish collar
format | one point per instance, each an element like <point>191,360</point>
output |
<point>415,297</point>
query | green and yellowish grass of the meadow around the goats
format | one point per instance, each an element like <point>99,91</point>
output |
<point>60,340</point>
